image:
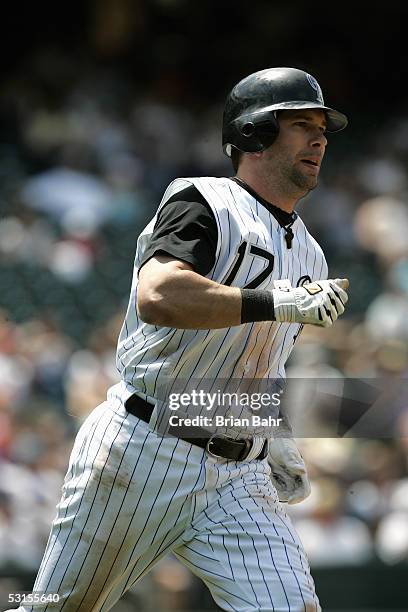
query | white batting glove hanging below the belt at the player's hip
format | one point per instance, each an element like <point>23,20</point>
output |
<point>289,475</point>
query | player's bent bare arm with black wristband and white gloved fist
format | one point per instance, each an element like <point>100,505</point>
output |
<point>171,294</point>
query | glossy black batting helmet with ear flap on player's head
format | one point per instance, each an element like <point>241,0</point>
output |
<point>250,123</point>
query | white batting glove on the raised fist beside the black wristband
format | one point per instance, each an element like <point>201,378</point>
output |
<point>318,303</point>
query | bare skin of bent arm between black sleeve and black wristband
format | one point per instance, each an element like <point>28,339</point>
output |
<point>171,294</point>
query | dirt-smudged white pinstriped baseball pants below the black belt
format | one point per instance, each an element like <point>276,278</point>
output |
<point>130,497</point>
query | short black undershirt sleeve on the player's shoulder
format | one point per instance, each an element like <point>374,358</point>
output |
<point>185,229</point>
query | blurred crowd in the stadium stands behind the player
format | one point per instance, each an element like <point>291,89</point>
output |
<point>81,174</point>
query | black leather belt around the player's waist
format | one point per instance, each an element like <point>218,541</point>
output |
<point>217,446</point>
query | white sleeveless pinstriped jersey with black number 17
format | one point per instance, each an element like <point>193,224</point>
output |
<point>251,252</point>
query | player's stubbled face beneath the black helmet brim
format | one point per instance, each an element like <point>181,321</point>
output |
<point>296,155</point>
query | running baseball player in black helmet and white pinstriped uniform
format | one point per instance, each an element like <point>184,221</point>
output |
<point>225,276</point>
